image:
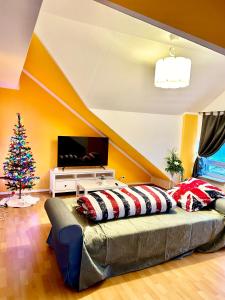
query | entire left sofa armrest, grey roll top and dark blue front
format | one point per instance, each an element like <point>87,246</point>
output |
<point>66,238</point>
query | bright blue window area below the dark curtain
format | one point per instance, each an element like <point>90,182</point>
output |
<point>215,164</point>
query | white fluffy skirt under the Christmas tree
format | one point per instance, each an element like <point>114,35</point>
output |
<point>14,201</point>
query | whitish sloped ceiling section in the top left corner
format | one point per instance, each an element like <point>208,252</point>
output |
<point>17,21</point>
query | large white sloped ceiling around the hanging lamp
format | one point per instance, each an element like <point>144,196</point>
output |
<point>109,58</point>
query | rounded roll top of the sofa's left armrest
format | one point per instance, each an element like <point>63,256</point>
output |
<point>63,222</point>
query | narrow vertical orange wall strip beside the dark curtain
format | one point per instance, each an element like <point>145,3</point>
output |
<point>188,142</point>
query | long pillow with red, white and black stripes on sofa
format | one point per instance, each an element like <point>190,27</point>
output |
<point>125,202</point>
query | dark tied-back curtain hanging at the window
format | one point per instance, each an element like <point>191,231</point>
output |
<point>212,138</point>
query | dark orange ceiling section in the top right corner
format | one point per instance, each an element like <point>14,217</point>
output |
<point>204,19</point>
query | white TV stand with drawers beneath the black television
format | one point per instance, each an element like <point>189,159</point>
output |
<point>64,181</point>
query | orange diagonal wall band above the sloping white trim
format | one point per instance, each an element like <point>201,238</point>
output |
<point>41,65</point>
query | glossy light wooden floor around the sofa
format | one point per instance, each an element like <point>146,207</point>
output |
<point>28,268</point>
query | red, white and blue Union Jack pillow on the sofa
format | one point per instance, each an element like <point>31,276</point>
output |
<point>194,194</point>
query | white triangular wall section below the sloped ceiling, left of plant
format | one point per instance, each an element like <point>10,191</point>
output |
<point>150,134</point>
